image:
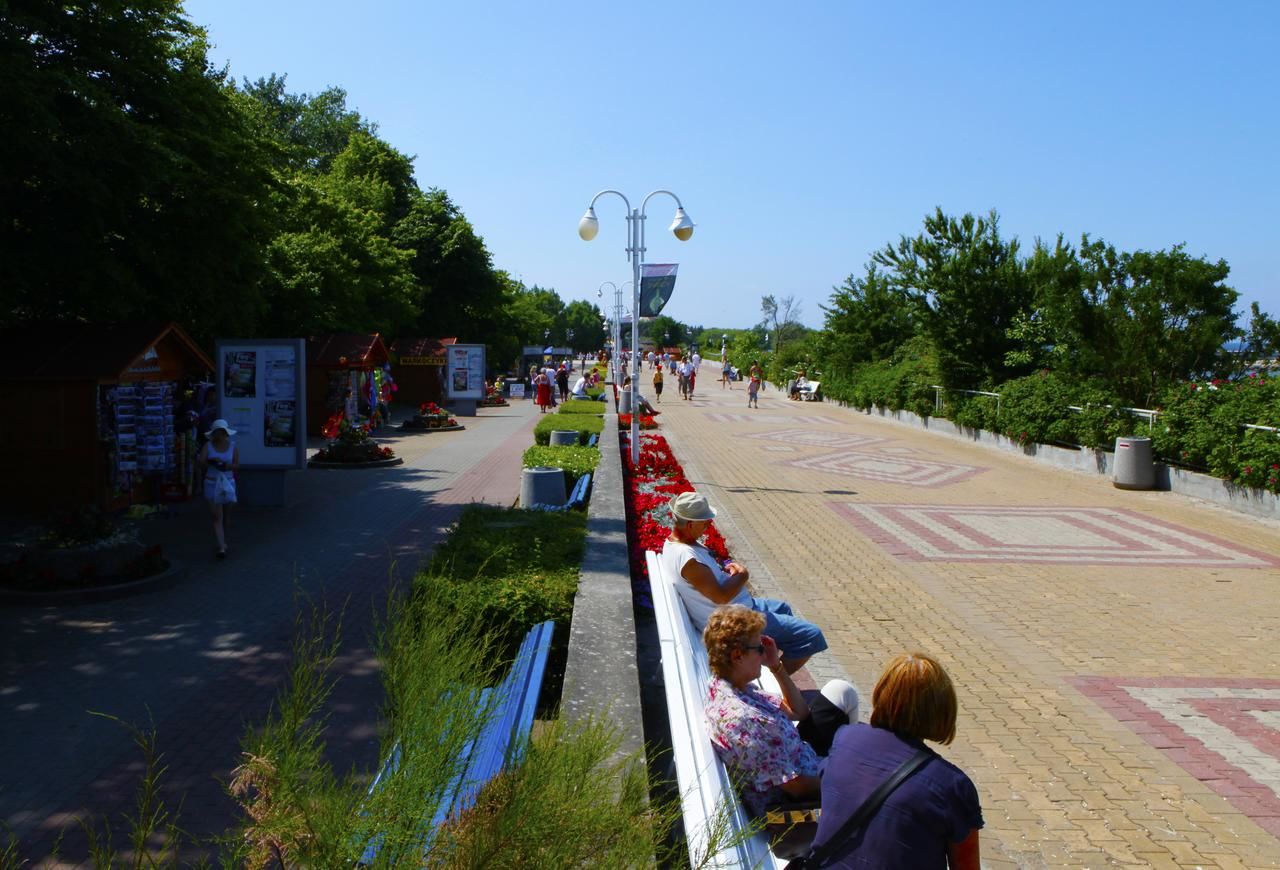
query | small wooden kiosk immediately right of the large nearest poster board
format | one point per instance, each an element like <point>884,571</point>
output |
<point>345,374</point>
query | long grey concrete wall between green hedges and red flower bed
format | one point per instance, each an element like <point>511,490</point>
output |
<point>601,677</point>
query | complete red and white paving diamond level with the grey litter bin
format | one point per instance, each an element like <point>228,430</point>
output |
<point>1043,535</point>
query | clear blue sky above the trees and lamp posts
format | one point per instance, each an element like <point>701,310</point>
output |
<point>803,139</point>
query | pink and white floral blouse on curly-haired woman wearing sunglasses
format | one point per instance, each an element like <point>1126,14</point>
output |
<point>757,743</point>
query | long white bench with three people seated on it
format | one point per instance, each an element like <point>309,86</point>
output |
<point>706,791</point>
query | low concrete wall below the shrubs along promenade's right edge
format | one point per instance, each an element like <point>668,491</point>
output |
<point>1254,502</point>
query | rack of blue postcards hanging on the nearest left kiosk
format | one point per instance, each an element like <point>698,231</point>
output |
<point>140,425</point>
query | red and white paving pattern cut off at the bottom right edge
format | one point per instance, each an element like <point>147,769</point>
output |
<point>1224,732</point>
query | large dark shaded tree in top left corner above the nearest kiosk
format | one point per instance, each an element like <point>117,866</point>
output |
<point>132,184</point>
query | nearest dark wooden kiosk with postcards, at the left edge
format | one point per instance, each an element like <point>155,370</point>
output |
<point>108,415</point>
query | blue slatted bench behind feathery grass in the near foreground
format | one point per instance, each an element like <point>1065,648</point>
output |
<point>501,744</point>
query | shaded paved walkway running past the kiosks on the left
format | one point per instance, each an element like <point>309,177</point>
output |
<point>205,658</point>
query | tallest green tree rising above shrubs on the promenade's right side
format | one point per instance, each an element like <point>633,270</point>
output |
<point>970,286</point>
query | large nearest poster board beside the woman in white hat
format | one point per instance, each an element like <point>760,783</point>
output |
<point>262,393</point>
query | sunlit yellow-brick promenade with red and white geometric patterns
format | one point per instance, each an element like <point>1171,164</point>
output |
<point>1117,654</point>
